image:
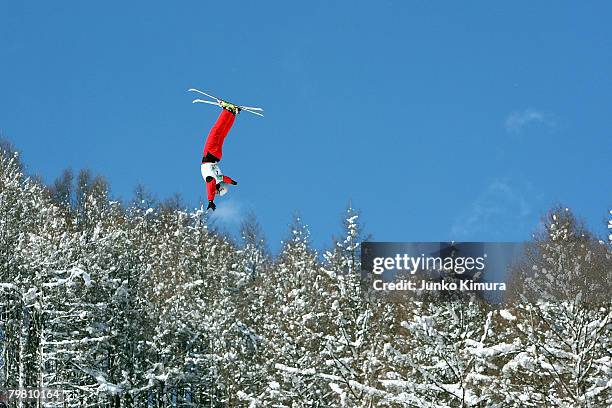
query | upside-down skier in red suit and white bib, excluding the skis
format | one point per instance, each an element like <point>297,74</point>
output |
<point>216,181</point>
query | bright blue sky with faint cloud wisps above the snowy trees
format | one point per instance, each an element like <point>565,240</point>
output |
<point>439,120</point>
